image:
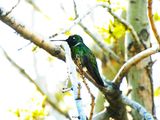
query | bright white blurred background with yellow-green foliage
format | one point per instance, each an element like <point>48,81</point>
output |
<point>20,98</point>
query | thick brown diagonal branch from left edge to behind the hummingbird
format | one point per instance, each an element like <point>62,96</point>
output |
<point>27,34</point>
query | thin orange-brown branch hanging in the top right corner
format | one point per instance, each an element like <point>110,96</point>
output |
<point>150,15</point>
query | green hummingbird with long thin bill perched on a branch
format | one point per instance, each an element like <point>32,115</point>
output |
<point>83,57</point>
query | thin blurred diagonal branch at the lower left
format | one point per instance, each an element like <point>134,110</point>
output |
<point>26,75</point>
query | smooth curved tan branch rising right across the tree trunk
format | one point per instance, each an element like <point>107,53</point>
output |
<point>132,61</point>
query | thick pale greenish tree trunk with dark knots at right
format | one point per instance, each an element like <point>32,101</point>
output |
<point>139,76</point>
